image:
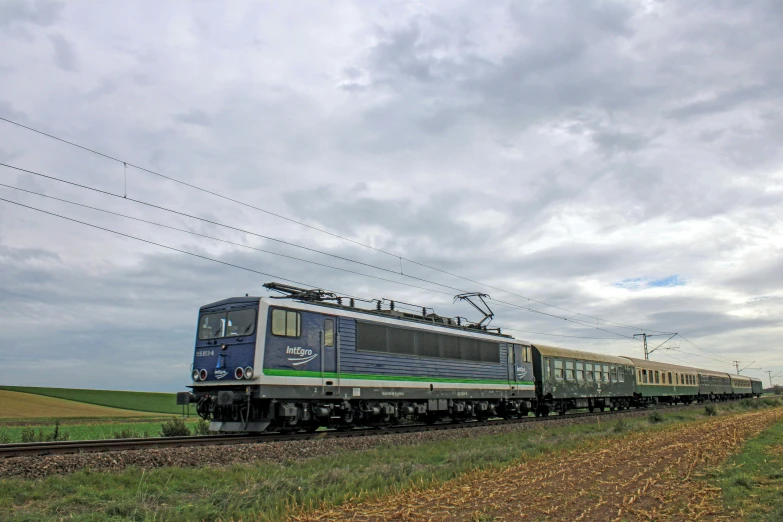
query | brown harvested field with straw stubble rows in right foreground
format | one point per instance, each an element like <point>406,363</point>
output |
<point>642,476</point>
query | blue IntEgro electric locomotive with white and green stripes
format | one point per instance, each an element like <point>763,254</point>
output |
<point>315,360</point>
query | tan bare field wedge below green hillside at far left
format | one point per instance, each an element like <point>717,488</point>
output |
<point>17,405</point>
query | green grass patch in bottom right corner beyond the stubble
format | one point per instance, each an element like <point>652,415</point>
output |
<point>752,481</point>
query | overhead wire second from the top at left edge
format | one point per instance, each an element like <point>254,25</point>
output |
<point>133,200</point>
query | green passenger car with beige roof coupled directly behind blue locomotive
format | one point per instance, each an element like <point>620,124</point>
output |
<point>570,379</point>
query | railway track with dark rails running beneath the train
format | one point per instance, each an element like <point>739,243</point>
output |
<point>31,449</point>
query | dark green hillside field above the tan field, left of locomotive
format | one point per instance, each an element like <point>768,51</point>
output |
<point>127,400</point>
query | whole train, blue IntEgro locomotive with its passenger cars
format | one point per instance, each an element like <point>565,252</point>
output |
<point>309,359</point>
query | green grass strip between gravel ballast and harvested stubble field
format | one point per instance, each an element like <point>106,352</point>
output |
<point>270,490</point>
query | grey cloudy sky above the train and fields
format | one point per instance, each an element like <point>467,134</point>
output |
<point>619,160</point>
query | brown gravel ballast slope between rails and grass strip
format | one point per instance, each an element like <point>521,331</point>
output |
<point>113,461</point>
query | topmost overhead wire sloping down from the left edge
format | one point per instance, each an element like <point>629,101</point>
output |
<point>233,200</point>
